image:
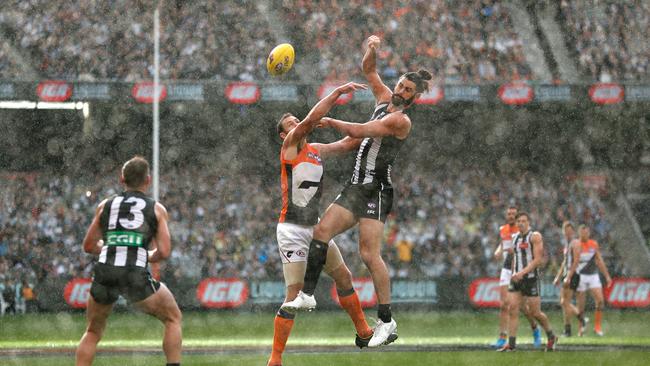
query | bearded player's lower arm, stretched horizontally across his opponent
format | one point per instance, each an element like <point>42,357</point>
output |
<point>394,124</point>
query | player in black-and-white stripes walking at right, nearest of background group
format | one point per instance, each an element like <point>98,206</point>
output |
<point>528,250</point>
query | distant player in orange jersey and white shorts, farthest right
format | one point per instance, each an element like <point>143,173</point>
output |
<point>587,254</point>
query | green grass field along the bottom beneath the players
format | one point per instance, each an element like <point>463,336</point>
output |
<point>321,338</point>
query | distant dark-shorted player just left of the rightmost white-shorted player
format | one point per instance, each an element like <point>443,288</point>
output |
<point>569,285</point>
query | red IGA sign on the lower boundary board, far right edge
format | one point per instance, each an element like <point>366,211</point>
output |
<point>628,293</point>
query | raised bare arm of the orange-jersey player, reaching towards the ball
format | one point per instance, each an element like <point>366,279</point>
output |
<point>318,111</point>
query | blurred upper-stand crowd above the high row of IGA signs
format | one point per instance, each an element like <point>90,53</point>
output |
<point>470,41</point>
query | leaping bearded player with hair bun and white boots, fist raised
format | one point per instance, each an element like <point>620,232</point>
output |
<point>368,197</point>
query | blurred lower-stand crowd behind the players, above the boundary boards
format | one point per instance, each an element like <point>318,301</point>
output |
<point>224,226</point>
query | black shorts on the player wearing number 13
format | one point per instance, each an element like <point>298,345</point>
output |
<point>134,283</point>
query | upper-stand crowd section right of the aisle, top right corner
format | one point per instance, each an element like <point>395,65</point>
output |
<point>609,37</point>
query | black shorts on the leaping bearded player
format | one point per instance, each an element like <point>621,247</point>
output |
<point>367,200</point>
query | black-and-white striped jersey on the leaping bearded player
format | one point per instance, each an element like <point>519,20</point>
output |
<point>375,156</point>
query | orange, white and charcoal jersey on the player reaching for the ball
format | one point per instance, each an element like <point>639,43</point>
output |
<point>301,181</point>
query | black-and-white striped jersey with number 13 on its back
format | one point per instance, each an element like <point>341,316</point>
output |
<point>128,224</point>
